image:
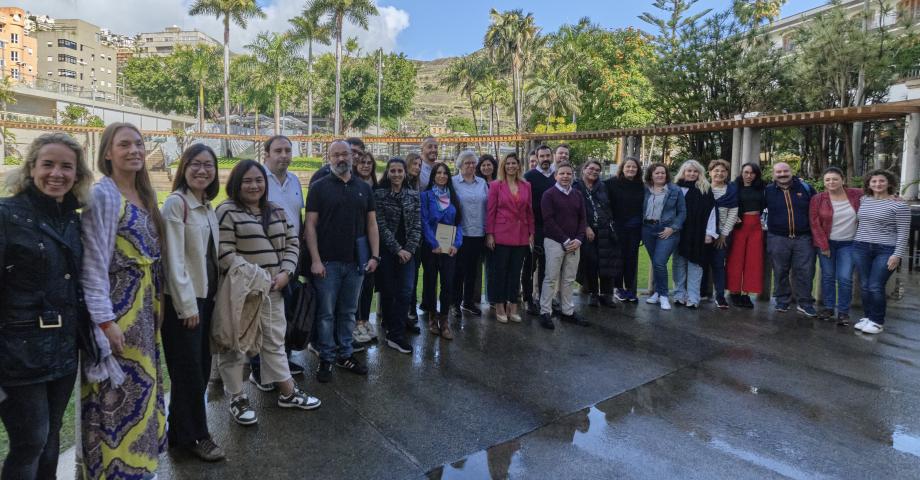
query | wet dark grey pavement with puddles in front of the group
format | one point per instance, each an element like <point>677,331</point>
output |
<point>641,393</point>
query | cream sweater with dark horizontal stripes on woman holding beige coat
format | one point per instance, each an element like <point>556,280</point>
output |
<point>241,234</point>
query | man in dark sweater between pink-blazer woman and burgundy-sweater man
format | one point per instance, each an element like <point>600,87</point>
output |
<point>541,179</point>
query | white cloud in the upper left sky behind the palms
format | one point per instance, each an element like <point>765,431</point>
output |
<point>139,16</point>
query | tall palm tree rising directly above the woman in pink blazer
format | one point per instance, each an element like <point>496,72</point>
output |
<point>513,36</point>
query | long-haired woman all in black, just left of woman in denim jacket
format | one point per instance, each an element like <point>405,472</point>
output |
<point>627,193</point>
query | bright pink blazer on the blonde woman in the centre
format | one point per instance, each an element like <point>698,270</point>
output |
<point>509,218</point>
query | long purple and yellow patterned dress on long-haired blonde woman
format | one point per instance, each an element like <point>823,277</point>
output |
<point>123,427</point>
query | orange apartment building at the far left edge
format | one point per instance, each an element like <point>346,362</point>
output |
<point>18,48</point>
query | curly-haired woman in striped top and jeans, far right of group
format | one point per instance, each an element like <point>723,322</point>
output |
<point>880,244</point>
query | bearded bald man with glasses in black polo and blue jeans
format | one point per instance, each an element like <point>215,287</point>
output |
<point>341,235</point>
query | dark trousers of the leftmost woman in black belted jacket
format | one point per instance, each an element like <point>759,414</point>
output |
<point>32,415</point>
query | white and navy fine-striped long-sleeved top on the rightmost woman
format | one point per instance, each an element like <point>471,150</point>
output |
<point>885,222</point>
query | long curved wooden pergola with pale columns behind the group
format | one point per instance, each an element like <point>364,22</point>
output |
<point>745,144</point>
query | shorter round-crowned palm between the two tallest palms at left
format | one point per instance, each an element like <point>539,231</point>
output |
<point>272,64</point>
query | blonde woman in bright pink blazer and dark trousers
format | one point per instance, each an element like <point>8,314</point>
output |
<point>509,233</point>
